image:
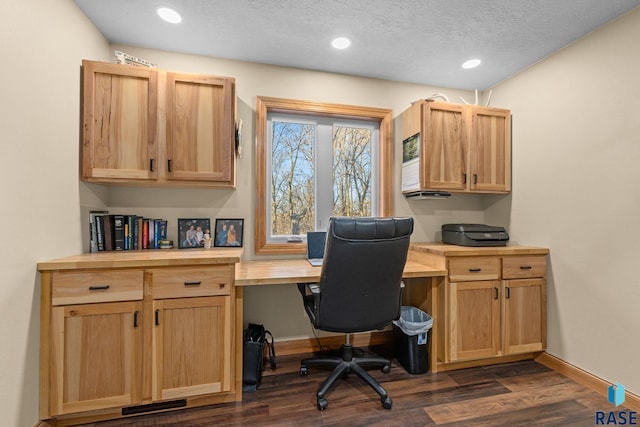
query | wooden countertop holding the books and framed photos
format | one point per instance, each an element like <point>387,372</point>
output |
<point>145,258</point>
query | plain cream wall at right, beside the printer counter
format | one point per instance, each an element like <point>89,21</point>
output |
<point>576,147</point>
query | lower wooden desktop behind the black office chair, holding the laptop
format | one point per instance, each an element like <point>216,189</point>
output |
<point>284,271</point>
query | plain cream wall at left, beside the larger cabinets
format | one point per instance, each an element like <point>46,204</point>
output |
<point>42,45</point>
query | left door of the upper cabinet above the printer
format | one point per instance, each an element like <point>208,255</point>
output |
<point>445,143</point>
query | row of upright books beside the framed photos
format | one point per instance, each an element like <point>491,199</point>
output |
<point>118,232</point>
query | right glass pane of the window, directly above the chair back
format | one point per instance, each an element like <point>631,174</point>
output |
<point>351,171</point>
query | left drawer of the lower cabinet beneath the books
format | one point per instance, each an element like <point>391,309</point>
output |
<point>83,287</point>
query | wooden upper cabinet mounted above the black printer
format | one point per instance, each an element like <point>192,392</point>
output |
<point>463,148</point>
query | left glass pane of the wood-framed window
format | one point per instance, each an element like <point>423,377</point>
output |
<point>292,178</point>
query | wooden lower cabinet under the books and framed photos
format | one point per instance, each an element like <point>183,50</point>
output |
<point>124,341</point>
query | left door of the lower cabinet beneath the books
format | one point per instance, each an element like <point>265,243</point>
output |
<point>95,356</point>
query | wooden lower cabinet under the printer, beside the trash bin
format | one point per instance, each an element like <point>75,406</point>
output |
<point>495,315</point>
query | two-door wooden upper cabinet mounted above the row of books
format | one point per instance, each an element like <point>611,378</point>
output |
<point>153,127</point>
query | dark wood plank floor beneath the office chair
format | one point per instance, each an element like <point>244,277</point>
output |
<point>515,394</point>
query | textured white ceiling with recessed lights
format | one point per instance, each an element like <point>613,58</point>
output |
<point>418,41</point>
